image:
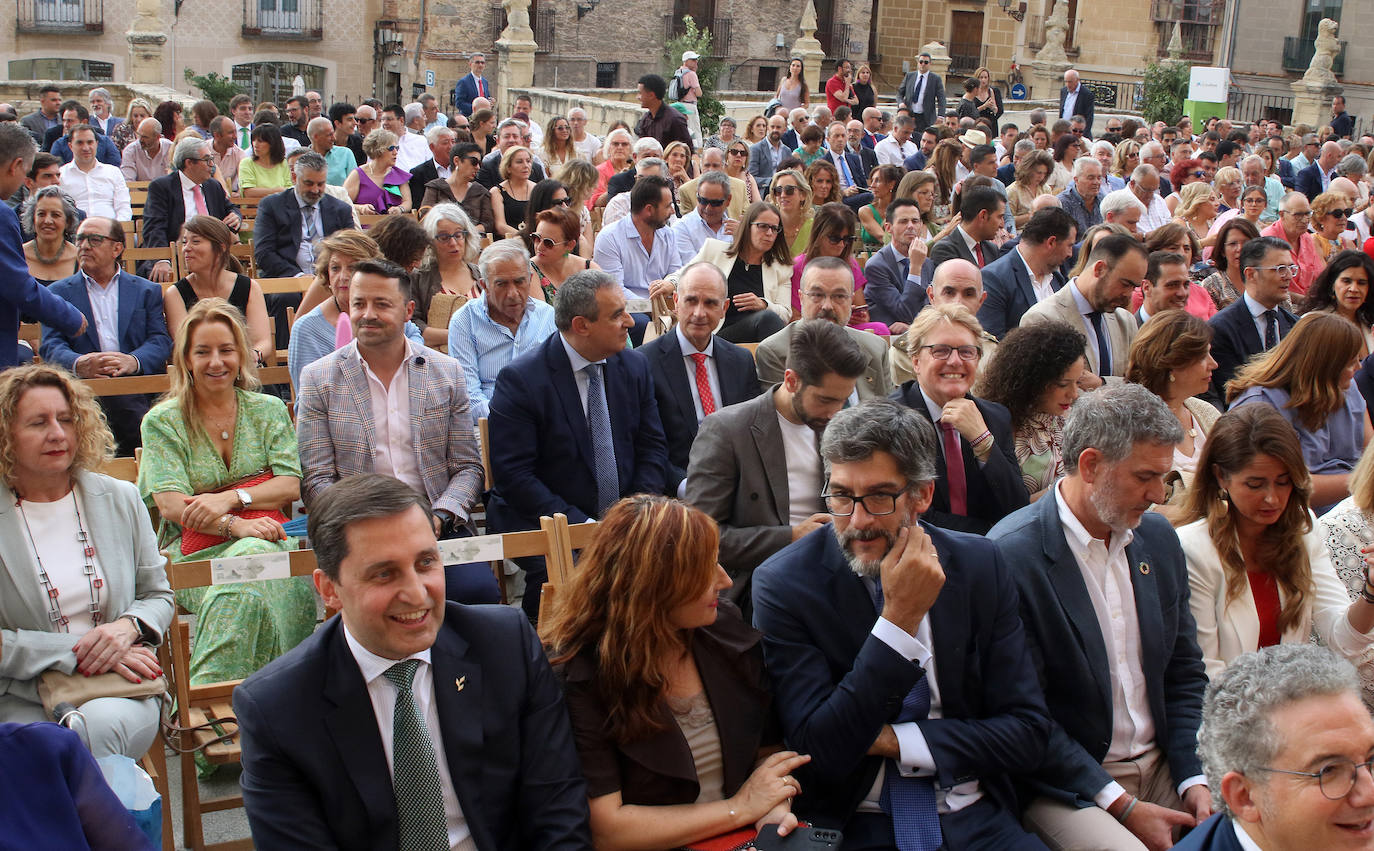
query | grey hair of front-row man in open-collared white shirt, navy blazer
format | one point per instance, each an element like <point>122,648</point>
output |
<point>1115,419</point>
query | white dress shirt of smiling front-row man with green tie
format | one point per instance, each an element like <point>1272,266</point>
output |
<point>383,694</point>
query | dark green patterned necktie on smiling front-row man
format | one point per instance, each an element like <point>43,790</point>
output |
<point>420,798</point>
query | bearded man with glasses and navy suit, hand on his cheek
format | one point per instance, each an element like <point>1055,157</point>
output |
<point>897,654</point>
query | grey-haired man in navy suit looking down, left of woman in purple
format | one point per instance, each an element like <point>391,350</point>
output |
<point>280,232</point>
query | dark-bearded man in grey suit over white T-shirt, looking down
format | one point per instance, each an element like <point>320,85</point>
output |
<point>748,457</point>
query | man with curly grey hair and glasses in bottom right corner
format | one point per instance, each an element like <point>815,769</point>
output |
<point>1298,786</point>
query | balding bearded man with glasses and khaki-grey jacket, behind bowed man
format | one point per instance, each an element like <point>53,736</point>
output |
<point>828,291</point>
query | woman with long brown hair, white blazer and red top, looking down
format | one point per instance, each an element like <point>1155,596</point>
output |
<point>1258,563</point>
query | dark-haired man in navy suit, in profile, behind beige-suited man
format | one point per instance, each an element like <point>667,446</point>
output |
<point>1027,274</point>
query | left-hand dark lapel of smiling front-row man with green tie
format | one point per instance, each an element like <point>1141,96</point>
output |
<point>352,727</point>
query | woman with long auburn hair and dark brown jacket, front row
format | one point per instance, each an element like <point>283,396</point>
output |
<point>659,670</point>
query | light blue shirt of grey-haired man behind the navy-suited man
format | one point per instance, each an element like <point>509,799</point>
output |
<point>482,346</point>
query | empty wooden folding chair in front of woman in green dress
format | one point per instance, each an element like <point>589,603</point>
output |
<point>204,720</point>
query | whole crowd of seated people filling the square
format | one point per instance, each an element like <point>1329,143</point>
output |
<point>1114,397</point>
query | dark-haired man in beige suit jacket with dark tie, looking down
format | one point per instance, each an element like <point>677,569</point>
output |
<point>1097,303</point>
